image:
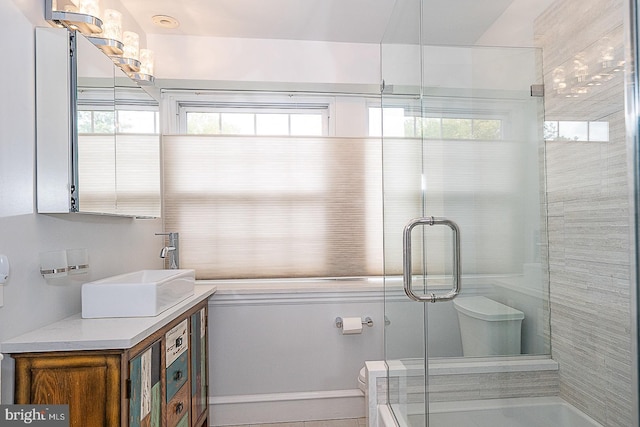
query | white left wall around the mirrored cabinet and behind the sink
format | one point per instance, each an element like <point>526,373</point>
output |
<point>115,244</point>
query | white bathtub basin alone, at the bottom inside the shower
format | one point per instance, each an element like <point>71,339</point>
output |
<point>517,412</point>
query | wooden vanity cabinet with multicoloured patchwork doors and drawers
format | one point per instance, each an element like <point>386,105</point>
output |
<point>161,381</point>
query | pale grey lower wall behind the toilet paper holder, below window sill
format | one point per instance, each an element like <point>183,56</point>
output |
<point>276,355</point>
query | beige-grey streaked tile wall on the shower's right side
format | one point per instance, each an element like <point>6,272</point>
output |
<point>588,216</point>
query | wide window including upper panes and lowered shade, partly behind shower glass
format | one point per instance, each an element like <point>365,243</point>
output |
<point>258,204</point>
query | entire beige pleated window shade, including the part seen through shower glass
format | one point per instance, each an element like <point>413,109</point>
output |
<point>267,207</point>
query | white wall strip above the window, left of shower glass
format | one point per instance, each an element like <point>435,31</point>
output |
<point>258,60</point>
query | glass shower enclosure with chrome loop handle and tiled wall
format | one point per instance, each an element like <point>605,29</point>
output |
<point>506,181</point>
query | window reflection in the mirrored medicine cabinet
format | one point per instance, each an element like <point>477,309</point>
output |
<point>119,173</point>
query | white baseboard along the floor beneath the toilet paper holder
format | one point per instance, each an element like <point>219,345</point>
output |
<point>286,407</point>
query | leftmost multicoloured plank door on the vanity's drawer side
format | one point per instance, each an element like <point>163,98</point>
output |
<point>145,404</point>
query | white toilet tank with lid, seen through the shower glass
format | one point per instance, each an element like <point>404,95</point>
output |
<point>487,327</point>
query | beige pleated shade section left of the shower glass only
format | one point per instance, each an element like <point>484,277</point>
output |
<point>264,207</point>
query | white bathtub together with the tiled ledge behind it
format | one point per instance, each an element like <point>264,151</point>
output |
<point>471,399</point>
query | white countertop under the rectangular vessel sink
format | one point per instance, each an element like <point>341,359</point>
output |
<point>76,333</point>
